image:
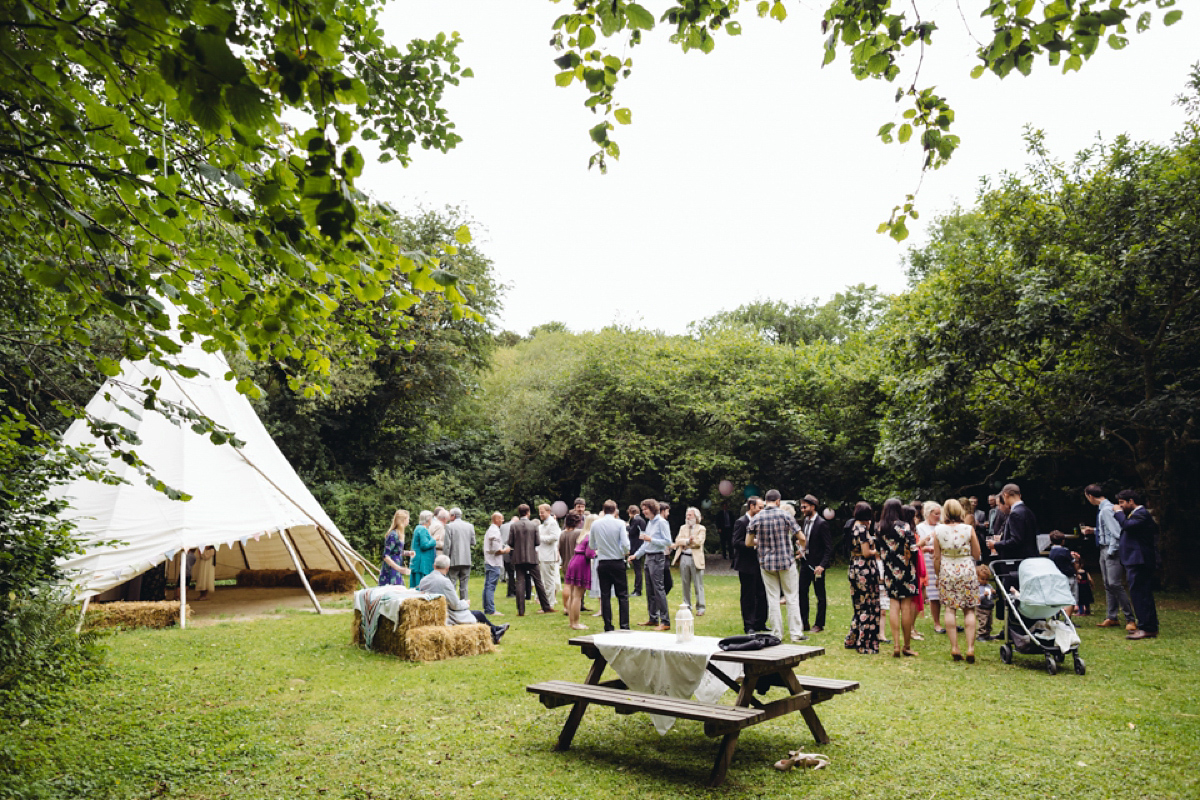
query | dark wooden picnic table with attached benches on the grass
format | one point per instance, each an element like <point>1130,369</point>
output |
<point>770,666</point>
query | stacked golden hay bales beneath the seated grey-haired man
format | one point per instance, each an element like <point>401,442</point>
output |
<point>423,634</point>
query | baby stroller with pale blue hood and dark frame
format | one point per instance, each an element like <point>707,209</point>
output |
<point>1036,622</point>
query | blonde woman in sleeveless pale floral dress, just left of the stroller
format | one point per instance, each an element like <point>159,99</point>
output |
<point>956,552</point>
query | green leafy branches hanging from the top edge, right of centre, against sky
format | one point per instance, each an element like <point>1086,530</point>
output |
<point>873,34</point>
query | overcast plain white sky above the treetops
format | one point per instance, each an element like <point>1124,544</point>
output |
<point>747,173</point>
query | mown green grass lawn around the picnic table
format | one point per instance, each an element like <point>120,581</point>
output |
<point>286,708</point>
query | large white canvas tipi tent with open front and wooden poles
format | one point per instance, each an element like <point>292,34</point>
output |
<point>247,502</point>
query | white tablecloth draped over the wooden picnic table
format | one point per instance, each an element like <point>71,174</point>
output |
<point>658,665</point>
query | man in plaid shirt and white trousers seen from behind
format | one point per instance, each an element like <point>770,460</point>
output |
<point>775,532</point>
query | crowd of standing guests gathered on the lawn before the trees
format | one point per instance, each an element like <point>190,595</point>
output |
<point>902,560</point>
